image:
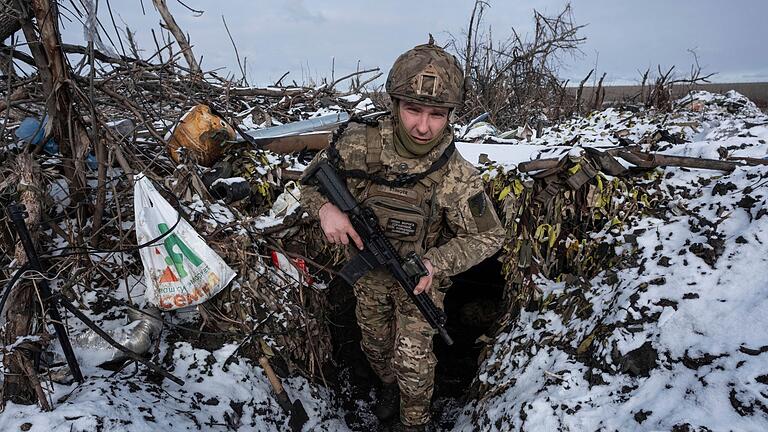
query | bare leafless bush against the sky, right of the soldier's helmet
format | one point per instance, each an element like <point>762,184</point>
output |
<point>515,79</point>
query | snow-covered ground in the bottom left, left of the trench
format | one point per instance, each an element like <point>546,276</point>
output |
<point>207,400</point>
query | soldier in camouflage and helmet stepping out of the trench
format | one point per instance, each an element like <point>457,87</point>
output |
<point>428,199</point>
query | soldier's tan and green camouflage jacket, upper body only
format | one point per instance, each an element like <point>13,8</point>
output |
<point>461,226</point>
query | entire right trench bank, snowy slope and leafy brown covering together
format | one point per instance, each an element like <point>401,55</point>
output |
<point>625,287</point>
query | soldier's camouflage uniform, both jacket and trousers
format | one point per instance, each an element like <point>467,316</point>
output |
<point>457,228</point>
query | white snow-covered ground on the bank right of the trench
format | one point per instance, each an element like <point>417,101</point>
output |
<point>676,343</point>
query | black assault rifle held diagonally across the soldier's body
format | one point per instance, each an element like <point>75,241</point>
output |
<point>378,251</point>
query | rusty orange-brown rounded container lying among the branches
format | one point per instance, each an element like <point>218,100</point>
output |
<point>202,133</point>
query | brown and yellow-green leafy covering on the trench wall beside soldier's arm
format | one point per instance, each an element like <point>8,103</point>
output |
<point>562,230</point>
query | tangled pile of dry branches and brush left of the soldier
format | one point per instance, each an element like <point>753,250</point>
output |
<point>103,117</point>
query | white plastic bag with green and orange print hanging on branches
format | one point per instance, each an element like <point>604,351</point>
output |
<point>180,270</point>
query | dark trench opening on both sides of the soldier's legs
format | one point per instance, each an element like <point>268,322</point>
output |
<point>473,304</point>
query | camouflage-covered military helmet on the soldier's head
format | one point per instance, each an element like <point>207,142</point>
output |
<point>428,75</point>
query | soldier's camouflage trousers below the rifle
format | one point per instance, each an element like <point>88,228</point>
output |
<point>398,341</point>
